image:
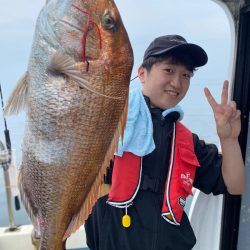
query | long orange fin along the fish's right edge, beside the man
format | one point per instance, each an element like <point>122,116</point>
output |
<point>86,208</point>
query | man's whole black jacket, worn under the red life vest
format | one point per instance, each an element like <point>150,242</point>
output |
<point>148,231</point>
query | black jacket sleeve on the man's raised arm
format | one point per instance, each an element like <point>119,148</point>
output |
<point>208,177</point>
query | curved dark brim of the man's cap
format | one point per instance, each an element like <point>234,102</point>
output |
<point>197,54</point>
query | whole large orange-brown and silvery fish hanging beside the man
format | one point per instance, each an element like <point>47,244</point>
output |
<point>75,92</point>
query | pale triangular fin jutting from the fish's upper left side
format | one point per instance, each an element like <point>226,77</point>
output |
<point>17,100</point>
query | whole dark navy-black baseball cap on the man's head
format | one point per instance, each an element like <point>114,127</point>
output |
<point>176,43</point>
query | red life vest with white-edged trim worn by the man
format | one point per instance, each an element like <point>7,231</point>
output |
<point>127,171</point>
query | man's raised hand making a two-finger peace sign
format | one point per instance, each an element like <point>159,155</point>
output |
<point>227,117</point>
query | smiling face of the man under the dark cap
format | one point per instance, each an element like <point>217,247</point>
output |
<point>165,84</point>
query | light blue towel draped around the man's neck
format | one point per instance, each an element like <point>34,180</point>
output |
<point>138,134</point>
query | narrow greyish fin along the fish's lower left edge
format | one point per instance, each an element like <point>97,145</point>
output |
<point>27,204</point>
